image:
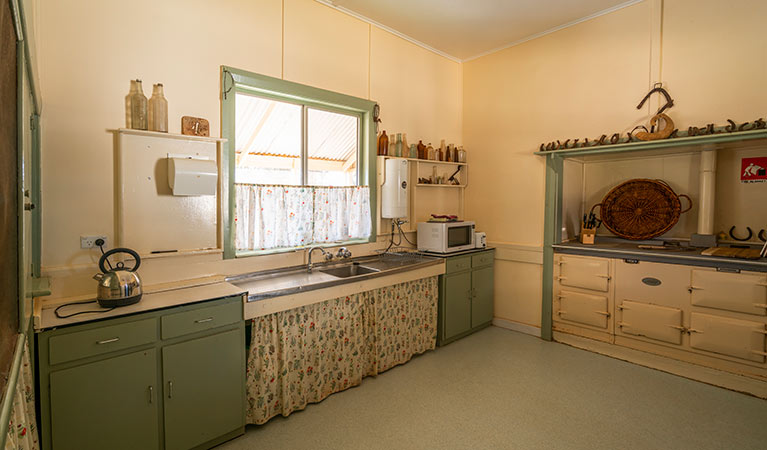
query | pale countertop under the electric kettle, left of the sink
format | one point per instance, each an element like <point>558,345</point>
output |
<point>149,302</point>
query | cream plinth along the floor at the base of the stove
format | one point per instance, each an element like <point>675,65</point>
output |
<point>680,368</point>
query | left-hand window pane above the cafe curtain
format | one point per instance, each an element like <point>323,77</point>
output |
<point>268,141</point>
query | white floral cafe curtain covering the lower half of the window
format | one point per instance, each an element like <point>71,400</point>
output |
<point>268,217</point>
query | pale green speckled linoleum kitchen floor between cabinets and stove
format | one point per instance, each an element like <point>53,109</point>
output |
<point>499,389</point>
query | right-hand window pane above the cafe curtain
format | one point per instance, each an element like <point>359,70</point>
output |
<point>333,141</point>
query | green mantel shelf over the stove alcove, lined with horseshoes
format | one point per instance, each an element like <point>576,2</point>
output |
<point>694,141</point>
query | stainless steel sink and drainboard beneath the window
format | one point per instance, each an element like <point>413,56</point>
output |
<point>297,279</point>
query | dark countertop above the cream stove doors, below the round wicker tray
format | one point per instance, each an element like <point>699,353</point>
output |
<point>686,256</point>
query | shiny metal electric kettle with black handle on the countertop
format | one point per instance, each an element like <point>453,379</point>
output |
<point>118,286</point>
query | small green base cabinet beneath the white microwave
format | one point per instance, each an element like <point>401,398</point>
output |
<point>465,295</point>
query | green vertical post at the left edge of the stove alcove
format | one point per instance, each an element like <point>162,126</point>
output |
<point>551,235</point>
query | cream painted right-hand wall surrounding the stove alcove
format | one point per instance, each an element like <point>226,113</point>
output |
<point>586,80</point>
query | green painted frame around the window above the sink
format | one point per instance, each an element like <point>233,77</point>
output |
<point>234,81</point>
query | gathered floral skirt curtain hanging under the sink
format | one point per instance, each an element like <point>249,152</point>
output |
<point>303,355</point>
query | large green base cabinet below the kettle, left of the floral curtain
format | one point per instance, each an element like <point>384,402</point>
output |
<point>171,379</point>
